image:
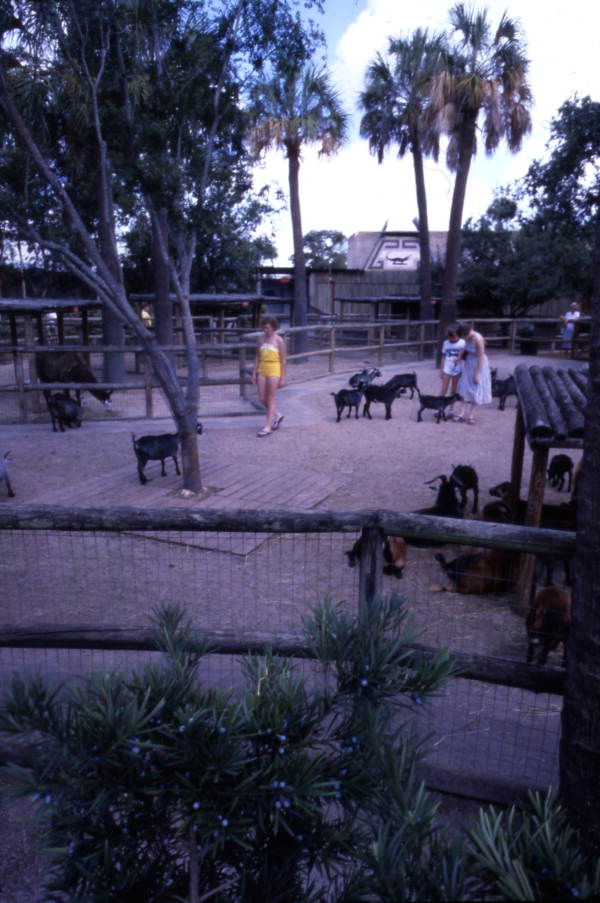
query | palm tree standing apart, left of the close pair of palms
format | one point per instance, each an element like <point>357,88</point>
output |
<point>297,106</point>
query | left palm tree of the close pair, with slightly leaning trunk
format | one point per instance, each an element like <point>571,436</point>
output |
<point>394,99</point>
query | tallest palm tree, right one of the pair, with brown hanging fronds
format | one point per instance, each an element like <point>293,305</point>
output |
<point>483,85</point>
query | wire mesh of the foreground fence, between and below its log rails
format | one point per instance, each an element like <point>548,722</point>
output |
<point>269,580</point>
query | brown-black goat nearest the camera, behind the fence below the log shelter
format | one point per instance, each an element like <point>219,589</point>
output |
<point>548,623</point>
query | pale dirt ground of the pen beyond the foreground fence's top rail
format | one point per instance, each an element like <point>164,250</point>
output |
<point>312,461</point>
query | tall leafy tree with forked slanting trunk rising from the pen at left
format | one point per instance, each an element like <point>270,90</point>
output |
<point>115,61</point>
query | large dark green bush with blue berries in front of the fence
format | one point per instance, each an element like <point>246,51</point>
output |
<point>151,784</point>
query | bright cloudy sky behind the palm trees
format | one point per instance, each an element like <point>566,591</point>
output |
<point>350,192</point>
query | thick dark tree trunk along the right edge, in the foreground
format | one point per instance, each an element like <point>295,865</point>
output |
<point>580,740</point>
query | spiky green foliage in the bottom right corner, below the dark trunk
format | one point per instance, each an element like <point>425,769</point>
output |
<point>531,853</point>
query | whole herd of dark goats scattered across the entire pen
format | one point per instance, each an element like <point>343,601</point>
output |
<point>491,570</point>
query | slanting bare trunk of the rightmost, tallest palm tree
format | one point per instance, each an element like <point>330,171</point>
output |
<point>448,310</point>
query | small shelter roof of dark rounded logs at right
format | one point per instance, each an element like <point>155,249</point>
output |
<point>552,402</point>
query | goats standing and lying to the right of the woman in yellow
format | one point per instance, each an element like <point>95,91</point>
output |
<point>549,614</point>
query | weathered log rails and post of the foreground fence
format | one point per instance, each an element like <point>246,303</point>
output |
<point>374,524</point>
